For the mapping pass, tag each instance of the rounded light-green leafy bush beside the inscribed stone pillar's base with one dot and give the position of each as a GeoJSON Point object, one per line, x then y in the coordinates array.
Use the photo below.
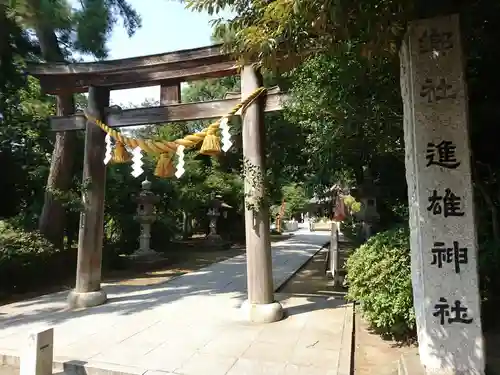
{"type": "Point", "coordinates": [379, 278]}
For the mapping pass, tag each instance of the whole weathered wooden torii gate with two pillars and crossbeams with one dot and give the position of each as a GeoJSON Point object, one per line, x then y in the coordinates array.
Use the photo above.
{"type": "Point", "coordinates": [167, 70]}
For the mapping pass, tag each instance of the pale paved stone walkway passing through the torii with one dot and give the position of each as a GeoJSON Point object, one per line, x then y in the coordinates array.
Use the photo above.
{"type": "Point", "coordinates": [191, 325]}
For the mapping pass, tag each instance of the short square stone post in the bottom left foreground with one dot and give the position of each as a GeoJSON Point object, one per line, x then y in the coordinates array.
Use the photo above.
{"type": "Point", "coordinates": [37, 357]}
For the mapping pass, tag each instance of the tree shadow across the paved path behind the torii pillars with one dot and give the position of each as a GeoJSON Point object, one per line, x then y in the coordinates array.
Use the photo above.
{"type": "Point", "coordinates": [228, 276]}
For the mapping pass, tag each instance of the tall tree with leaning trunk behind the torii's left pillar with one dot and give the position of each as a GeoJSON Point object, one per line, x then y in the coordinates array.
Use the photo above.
{"type": "Point", "coordinates": [64, 33]}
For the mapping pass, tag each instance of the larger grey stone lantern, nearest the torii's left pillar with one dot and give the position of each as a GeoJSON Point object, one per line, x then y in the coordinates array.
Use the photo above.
{"type": "Point", "coordinates": [146, 217]}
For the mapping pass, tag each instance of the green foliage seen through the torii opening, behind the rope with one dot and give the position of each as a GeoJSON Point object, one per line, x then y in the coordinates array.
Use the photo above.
{"type": "Point", "coordinates": [181, 200]}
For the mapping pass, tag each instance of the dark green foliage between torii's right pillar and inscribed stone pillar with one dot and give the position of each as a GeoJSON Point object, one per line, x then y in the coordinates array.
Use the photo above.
{"type": "Point", "coordinates": [351, 110]}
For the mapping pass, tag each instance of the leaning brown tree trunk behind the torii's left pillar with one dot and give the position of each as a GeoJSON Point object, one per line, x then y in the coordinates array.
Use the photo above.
{"type": "Point", "coordinates": [52, 219]}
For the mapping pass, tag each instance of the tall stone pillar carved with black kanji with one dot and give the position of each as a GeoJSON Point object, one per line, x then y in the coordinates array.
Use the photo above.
{"type": "Point", "coordinates": [438, 172]}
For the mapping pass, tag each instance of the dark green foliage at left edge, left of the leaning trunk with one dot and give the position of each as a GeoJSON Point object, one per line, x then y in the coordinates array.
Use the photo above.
{"type": "Point", "coordinates": [24, 137]}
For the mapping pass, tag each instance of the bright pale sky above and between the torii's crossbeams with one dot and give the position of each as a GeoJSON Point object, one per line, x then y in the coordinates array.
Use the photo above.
{"type": "Point", "coordinates": [166, 26]}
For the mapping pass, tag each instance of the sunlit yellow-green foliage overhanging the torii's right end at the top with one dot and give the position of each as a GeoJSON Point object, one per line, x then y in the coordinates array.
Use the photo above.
{"type": "Point", "coordinates": [293, 30]}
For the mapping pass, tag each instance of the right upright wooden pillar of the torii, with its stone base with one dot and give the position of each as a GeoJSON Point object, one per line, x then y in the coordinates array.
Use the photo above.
{"type": "Point", "coordinates": [260, 307]}
